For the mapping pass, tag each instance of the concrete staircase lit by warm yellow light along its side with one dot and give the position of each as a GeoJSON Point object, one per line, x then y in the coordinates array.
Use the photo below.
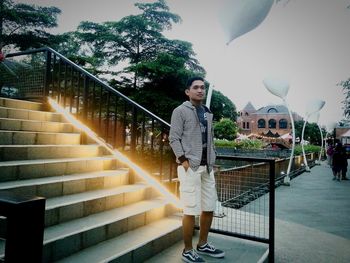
{"type": "Point", "coordinates": [95, 210]}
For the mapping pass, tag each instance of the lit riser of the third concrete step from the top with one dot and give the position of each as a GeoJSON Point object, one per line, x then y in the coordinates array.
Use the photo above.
{"type": "Point", "coordinates": [34, 125]}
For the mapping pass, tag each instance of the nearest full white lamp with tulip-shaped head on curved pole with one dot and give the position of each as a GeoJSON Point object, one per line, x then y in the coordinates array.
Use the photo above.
{"type": "Point", "coordinates": [279, 88]}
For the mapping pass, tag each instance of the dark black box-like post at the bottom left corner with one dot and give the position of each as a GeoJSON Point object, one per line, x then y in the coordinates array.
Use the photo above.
{"type": "Point", "coordinates": [25, 227]}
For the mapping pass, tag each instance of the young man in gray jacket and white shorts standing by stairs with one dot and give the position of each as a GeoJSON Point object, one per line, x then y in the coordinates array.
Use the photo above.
{"type": "Point", "coordinates": [191, 138]}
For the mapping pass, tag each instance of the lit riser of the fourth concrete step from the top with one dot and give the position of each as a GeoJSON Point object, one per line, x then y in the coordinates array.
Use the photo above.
{"type": "Point", "coordinates": [30, 138]}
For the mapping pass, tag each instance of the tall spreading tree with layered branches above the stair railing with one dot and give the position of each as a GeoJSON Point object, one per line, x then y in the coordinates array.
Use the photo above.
{"type": "Point", "coordinates": [133, 39]}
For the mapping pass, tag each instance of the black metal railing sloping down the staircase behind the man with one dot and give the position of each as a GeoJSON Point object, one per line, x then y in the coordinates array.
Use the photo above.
{"type": "Point", "coordinates": [121, 122]}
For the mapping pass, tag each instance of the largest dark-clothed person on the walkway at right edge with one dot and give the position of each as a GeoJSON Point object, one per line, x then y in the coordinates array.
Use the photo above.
{"type": "Point", "coordinates": [339, 162]}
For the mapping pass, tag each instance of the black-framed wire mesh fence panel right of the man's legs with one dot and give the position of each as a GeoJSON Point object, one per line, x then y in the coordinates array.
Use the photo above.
{"type": "Point", "coordinates": [245, 206]}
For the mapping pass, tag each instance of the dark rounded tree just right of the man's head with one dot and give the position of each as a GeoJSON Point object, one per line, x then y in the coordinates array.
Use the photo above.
{"type": "Point", "coordinates": [222, 107]}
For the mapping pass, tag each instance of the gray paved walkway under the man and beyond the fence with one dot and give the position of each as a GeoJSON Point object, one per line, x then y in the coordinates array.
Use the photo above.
{"type": "Point", "coordinates": [312, 225]}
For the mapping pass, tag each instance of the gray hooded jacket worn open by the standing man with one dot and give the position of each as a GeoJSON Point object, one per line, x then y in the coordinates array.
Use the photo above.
{"type": "Point", "coordinates": [186, 138]}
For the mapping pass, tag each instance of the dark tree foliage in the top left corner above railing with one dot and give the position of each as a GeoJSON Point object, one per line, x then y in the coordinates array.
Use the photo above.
{"type": "Point", "coordinates": [24, 26]}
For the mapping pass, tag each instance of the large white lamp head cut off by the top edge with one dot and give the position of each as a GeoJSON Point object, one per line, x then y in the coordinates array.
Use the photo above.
{"type": "Point", "coordinates": [241, 16]}
